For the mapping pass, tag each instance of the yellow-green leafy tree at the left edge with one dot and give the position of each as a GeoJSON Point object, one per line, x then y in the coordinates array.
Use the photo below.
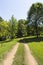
{"type": "Point", "coordinates": [3, 30]}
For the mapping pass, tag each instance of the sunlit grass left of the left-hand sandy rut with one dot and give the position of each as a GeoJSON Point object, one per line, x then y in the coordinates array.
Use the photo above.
{"type": "Point", "coordinates": [5, 47]}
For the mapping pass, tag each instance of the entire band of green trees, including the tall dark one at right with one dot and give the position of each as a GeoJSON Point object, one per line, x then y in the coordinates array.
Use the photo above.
{"type": "Point", "coordinates": [21, 28]}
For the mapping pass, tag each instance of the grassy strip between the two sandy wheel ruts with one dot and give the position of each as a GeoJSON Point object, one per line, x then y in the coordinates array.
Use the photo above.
{"type": "Point", "coordinates": [19, 57]}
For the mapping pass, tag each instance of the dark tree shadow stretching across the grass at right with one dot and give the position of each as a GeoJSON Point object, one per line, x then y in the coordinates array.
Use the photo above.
{"type": "Point", "coordinates": [27, 40]}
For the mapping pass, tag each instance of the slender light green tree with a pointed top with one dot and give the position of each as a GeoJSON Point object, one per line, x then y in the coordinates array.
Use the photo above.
{"type": "Point", "coordinates": [13, 27]}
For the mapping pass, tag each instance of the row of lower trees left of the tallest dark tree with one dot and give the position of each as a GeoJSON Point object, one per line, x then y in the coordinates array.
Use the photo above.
{"type": "Point", "coordinates": [12, 28]}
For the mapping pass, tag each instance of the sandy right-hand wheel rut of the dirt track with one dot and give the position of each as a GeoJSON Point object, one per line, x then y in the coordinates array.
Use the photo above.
{"type": "Point", "coordinates": [29, 59]}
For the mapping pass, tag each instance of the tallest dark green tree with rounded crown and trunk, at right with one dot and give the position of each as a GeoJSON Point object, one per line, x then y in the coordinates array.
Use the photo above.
{"type": "Point", "coordinates": [35, 13]}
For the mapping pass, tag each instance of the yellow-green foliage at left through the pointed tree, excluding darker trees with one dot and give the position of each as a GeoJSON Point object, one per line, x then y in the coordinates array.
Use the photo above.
{"type": "Point", "coordinates": [8, 29]}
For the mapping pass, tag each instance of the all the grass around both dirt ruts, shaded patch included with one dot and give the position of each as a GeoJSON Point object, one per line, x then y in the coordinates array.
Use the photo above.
{"type": "Point", "coordinates": [36, 47]}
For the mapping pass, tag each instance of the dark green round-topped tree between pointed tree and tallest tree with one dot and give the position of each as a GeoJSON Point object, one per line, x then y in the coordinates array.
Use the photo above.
{"type": "Point", "coordinates": [21, 28]}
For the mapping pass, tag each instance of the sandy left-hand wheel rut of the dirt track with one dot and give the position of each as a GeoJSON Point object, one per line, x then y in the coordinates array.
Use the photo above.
{"type": "Point", "coordinates": [10, 55]}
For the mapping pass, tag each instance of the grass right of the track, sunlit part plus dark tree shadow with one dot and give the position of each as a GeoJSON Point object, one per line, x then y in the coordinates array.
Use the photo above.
{"type": "Point", "coordinates": [36, 46]}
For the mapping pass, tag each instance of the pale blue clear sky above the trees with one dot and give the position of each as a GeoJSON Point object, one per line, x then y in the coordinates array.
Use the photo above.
{"type": "Point", "coordinates": [18, 8]}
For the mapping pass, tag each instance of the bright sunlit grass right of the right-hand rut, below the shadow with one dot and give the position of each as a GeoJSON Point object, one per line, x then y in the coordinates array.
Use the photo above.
{"type": "Point", "coordinates": [37, 51]}
